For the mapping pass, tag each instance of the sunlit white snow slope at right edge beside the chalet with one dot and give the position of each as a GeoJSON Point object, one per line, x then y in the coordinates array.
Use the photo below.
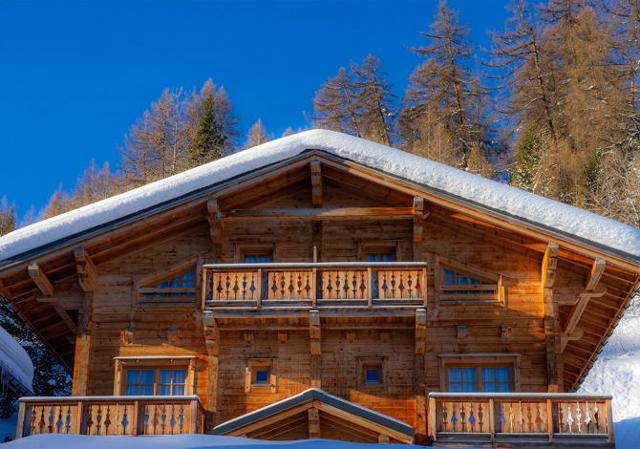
{"type": "Point", "coordinates": [617, 372]}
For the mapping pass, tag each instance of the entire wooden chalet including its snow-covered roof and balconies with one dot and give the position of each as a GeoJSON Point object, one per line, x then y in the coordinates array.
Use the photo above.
{"type": "Point", "coordinates": [323, 286]}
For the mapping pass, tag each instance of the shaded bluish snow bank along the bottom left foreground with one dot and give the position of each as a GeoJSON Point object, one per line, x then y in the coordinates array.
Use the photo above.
{"type": "Point", "coordinates": [178, 442]}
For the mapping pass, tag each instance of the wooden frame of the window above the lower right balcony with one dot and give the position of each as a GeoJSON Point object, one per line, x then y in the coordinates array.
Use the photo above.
{"type": "Point", "coordinates": [480, 361]}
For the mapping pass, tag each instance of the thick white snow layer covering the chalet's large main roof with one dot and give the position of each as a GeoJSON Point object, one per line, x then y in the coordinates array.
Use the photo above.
{"type": "Point", "coordinates": [514, 202]}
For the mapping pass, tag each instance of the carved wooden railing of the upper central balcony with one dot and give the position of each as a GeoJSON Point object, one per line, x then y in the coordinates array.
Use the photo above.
{"type": "Point", "coordinates": [315, 284]}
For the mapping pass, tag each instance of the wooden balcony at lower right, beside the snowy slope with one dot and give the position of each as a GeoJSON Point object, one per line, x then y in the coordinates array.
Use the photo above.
{"type": "Point", "coordinates": [520, 419]}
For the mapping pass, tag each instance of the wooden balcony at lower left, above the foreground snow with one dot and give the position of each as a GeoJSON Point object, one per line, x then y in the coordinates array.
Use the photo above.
{"type": "Point", "coordinates": [110, 415]}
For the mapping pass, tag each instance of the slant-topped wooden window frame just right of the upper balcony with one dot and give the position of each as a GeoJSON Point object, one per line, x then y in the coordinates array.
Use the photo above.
{"type": "Point", "coordinates": [497, 284]}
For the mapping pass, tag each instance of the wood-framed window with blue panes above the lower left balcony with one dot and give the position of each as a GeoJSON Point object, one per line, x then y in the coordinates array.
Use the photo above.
{"type": "Point", "coordinates": [158, 376]}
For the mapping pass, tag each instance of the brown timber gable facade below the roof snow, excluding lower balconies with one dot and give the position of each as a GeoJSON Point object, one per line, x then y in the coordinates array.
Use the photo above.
{"type": "Point", "coordinates": [320, 272]}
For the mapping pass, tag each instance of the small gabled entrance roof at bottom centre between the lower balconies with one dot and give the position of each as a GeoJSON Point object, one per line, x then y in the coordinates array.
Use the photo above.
{"type": "Point", "coordinates": [313, 414]}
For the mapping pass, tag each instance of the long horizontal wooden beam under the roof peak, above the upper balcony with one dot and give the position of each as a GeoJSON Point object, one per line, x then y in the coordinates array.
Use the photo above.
{"type": "Point", "coordinates": [345, 213]}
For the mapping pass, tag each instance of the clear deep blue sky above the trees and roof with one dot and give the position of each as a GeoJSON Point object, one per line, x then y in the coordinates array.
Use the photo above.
{"type": "Point", "coordinates": [75, 74]}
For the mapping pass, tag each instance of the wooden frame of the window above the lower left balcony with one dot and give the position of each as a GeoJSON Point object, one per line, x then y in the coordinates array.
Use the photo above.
{"type": "Point", "coordinates": [156, 363]}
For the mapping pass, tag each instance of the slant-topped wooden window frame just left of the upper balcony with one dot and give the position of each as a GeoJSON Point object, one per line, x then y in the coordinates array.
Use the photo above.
{"type": "Point", "coordinates": [144, 285]}
